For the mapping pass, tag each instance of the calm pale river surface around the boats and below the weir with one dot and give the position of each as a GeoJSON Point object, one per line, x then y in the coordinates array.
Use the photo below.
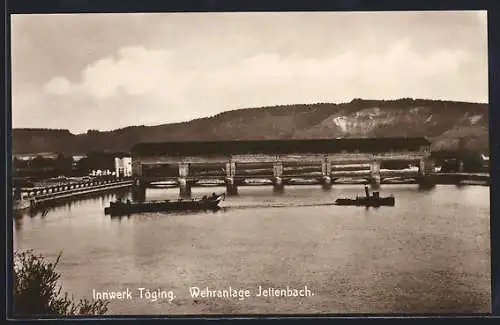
{"type": "Point", "coordinates": [428, 254]}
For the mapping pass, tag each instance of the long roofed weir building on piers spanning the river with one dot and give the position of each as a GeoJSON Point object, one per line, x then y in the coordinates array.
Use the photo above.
{"type": "Point", "coordinates": [277, 160]}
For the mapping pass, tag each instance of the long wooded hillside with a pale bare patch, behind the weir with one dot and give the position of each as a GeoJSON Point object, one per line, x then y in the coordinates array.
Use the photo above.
{"type": "Point", "coordinates": [443, 122]}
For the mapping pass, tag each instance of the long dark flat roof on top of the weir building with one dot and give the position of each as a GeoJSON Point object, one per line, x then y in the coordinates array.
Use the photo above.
{"type": "Point", "coordinates": [276, 146]}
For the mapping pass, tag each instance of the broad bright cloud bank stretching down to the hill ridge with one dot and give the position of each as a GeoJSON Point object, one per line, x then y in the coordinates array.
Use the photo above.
{"type": "Point", "coordinates": [141, 85]}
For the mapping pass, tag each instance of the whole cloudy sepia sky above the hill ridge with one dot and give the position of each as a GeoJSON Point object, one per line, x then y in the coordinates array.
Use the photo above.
{"type": "Point", "coordinates": [109, 71]}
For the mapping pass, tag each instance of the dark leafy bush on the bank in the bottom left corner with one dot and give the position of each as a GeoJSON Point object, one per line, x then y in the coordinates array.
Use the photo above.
{"type": "Point", "coordinates": [36, 290]}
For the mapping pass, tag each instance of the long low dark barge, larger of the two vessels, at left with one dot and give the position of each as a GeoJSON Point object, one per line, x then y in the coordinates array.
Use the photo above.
{"type": "Point", "coordinates": [126, 208]}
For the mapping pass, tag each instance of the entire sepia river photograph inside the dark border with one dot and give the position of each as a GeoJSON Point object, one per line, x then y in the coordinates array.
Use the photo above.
{"type": "Point", "coordinates": [250, 163]}
